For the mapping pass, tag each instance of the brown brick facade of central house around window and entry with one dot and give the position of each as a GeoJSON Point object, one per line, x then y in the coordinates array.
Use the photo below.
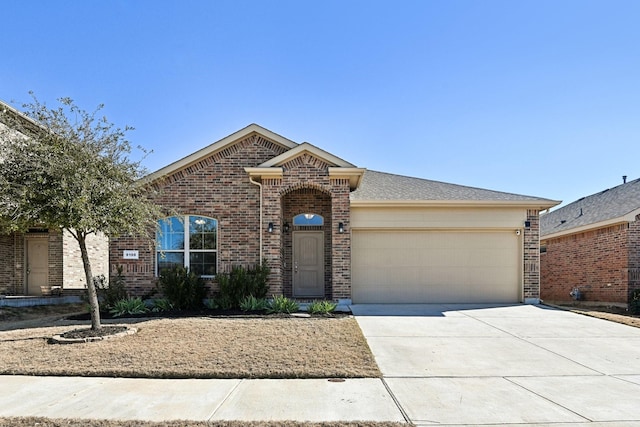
{"type": "Point", "coordinates": [219, 187]}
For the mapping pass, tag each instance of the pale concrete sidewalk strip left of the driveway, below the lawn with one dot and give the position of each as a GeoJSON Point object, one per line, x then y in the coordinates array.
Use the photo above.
{"type": "Point", "coordinates": [197, 400]}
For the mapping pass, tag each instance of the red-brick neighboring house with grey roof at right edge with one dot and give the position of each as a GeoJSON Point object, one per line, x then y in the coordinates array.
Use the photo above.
{"type": "Point", "coordinates": [593, 244]}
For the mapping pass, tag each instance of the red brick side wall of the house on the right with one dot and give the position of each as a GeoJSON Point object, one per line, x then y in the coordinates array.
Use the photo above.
{"type": "Point", "coordinates": [595, 261]}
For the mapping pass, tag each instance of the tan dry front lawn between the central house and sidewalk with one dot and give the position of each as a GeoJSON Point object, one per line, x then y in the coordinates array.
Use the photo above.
{"type": "Point", "coordinates": [199, 347]}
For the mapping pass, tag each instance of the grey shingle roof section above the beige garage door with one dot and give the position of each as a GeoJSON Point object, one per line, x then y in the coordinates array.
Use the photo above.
{"type": "Point", "coordinates": [385, 188]}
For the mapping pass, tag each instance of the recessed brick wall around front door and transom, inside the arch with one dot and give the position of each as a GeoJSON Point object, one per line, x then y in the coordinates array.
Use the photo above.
{"type": "Point", "coordinates": [306, 199]}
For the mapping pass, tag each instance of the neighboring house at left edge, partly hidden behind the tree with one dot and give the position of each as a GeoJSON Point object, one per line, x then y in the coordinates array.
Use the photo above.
{"type": "Point", "coordinates": [41, 260]}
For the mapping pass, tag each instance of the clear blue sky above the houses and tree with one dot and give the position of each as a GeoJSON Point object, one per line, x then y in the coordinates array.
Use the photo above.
{"type": "Point", "coordinates": [531, 97]}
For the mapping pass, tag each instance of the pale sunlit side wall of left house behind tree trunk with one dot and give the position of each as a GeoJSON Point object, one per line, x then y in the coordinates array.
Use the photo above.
{"type": "Point", "coordinates": [98, 248]}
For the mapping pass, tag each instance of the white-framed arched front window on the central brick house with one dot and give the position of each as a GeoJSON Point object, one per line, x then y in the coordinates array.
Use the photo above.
{"type": "Point", "coordinates": [189, 241]}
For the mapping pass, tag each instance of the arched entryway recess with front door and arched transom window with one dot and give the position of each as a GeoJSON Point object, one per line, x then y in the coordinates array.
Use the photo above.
{"type": "Point", "coordinates": [306, 244]}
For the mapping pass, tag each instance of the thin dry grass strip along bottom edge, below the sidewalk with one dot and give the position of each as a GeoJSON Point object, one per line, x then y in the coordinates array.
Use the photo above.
{"type": "Point", "coordinates": [47, 422]}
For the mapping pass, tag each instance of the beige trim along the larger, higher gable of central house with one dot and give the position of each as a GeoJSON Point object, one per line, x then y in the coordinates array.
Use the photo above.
{"type": "Point", "coordinates": [220, 145]}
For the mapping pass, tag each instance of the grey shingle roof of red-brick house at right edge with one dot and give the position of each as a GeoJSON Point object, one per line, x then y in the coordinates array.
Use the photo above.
{"type": "Point", "coordinates": [610, 206]}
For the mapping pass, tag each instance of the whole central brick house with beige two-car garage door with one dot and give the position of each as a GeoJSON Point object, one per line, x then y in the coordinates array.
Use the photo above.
{"type": "Point", "coordinates": [328, 229]}
